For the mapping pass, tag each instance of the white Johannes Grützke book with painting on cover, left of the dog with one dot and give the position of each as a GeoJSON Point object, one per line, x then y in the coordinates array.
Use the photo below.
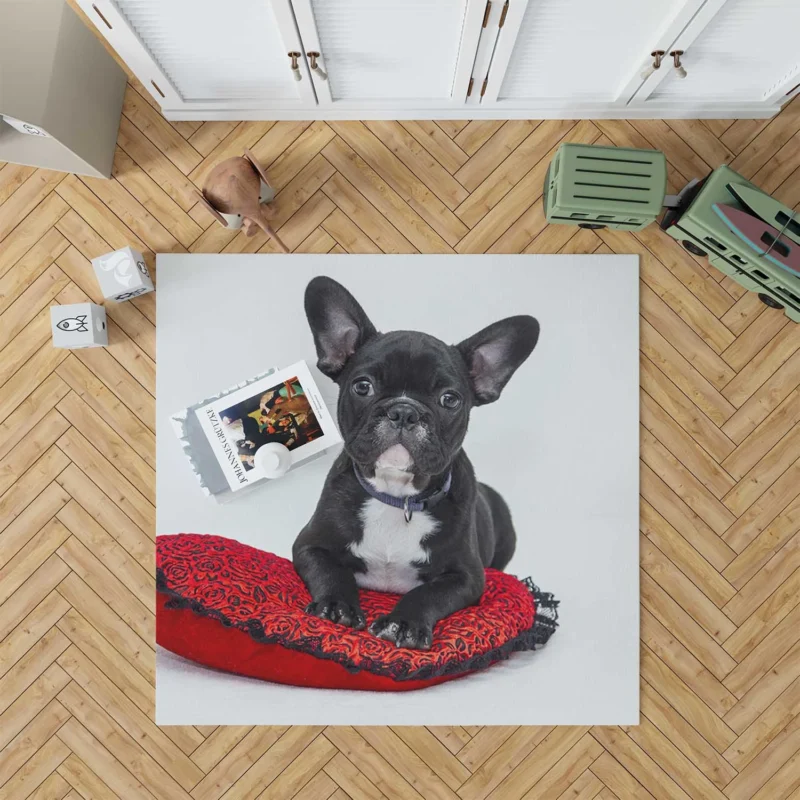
{"type": "Point", "coordinates": [285, 407]}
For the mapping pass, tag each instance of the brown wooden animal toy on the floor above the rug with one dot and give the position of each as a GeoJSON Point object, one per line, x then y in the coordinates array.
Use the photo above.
{"type": "Point", "coordinates": [236, 192]}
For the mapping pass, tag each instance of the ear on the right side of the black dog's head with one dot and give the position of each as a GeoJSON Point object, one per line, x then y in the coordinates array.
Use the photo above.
{"type": "Point", "coordinates": [494, 354]}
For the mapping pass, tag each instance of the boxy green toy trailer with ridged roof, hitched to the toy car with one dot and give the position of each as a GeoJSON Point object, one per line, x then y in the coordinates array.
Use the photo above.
{"type": "Point", "coordinates": [605, 187]}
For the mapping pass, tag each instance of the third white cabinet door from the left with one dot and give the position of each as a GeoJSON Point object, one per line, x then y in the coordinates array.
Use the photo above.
{"type": "Point", "coordinates": [576, 53]}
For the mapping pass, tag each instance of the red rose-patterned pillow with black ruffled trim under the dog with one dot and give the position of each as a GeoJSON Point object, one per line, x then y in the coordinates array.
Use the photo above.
{"type": "Point", "coordinates": [229, 606]}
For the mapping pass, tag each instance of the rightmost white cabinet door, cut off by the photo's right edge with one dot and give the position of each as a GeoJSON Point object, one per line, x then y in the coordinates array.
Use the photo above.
{"type": "Point", "coordinates": [747, 51]}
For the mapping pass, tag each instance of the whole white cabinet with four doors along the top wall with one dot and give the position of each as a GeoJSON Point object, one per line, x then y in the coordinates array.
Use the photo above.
{"type": "Point", "coordinates": [335, 59]}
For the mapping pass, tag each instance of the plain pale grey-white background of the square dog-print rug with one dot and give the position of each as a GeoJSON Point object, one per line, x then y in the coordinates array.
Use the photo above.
{"type": "Point", "coordinates": [561, 445]}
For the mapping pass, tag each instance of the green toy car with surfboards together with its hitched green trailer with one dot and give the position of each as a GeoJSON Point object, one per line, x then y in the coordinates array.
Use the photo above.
{"type": "Point", "coordinates": [594, 186]}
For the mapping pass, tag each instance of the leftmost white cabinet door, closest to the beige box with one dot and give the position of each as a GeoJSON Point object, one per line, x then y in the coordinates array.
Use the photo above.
{"type": "Point", "coordinates": [207, 54]}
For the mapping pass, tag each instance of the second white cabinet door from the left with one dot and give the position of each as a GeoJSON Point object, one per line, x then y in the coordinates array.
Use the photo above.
{"type": "Point", "coordinates": [390, 53]}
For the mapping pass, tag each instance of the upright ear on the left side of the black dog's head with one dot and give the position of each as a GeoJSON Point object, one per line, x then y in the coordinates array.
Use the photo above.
{"type": "Point", "coordinates": [338, 323]}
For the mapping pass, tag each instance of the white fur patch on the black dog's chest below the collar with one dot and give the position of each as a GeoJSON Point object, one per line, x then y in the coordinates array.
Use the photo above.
{"type": "Point", "coordinates": [391, 546]}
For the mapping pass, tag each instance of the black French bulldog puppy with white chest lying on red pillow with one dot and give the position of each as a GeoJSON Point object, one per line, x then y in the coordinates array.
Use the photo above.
{"type": "Point", "coordinates": [401, 510]}
